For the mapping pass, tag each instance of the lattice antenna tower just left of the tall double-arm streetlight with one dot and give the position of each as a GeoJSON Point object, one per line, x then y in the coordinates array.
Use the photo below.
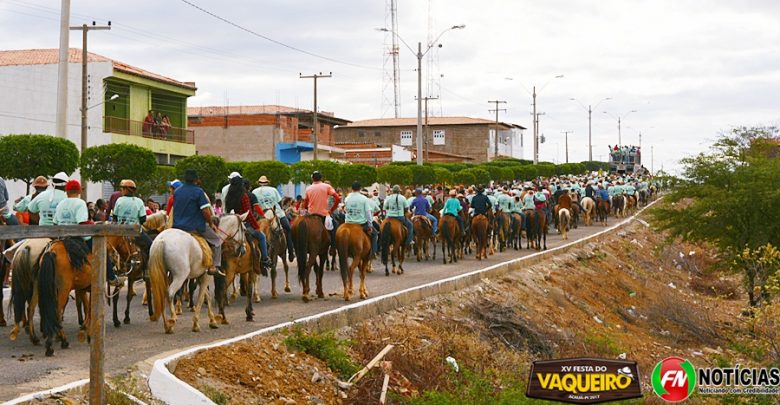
{"type": "Point", "coordinates": [391, 74]}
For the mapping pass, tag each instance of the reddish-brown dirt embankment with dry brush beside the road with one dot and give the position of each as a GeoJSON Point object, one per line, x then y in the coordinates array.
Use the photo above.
{"type": "Point", "coordinates": [630, 293]}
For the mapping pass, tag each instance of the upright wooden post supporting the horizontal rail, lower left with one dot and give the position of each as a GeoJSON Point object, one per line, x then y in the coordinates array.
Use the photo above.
{"type": "Point", "coordinates": [97, 329]}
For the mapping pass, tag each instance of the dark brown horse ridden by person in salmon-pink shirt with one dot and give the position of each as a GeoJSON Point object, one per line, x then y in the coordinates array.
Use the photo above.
{"type": "Point", "coordinates": [311, 241]}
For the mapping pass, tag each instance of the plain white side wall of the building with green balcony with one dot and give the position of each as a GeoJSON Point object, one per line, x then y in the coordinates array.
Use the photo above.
{"type": "Point", "coordinates": [28, 105]}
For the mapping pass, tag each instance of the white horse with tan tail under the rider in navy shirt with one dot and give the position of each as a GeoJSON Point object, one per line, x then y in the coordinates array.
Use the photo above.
{"type": "Point", "coordinates": [177, 253]}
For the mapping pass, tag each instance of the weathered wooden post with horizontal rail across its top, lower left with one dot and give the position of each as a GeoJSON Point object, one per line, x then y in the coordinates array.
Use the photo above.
{"type": "Point", "coordinates": [97, 327]}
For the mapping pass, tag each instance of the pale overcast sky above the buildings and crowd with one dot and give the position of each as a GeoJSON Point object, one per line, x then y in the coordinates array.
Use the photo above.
{"type": "Point", "coordinates": [689, 68]}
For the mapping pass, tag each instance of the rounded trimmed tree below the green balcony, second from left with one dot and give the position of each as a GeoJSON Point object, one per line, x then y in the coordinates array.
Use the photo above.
{"type": "Point", "coordinates": [117, 161]}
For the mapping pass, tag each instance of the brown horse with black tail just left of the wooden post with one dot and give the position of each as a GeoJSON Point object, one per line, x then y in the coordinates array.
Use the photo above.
{"type": "Point", "coordinates": [65, 265]}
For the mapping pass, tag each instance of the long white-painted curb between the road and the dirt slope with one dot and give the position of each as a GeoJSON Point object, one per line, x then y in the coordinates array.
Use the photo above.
{"type": "Point", "coordinates": [168, 388]}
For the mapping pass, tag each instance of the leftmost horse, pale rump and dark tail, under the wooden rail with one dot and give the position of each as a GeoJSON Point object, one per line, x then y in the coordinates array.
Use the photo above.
{"type": "Point", "coordinates": [24, 286]}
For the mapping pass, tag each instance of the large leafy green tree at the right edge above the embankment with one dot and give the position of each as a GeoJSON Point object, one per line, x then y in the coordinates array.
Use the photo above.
{"type": "Point", "coordinates": [726, 197]}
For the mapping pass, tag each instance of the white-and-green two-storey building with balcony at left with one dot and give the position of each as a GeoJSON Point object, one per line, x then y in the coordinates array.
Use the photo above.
{"type": "Point", "coordinates": [28, 104]}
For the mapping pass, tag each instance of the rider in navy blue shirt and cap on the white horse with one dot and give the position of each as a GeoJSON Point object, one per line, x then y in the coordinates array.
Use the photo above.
{"type": "Point", "coordinates": [192, 213]}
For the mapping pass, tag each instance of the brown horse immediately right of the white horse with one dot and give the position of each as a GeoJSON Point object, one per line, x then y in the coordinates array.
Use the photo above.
{"type": "Point", "coordinates": [236, 259]}
